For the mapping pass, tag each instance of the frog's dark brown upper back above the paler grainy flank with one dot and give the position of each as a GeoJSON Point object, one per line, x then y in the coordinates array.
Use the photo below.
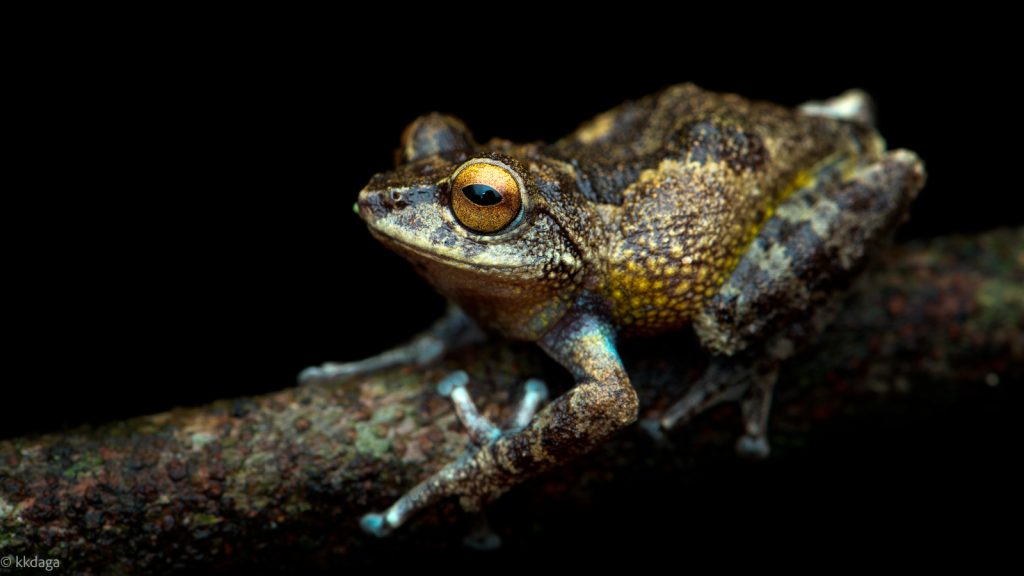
{"type": "Point", "coordinates": [694, 127]}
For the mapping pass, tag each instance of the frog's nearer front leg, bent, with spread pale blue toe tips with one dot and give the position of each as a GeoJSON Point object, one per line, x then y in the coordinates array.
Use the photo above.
{"type": "Point", "coordinates": [602, 403]}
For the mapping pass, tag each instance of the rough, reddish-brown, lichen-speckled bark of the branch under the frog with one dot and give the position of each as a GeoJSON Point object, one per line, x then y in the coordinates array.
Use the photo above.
{"type": "Point", "coordinates": [289, 474]}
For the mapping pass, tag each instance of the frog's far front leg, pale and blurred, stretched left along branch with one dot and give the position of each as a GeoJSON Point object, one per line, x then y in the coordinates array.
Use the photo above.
{"type": "Point", "coordinates": [453, 331]}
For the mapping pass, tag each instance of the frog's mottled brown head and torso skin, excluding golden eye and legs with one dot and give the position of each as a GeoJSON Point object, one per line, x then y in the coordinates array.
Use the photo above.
{"type": "Point", "coordinates": [651, 205]}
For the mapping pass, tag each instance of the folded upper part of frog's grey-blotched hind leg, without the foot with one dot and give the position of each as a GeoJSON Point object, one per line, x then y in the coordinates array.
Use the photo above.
{"type": "Point", "coordinates": [814, 248]}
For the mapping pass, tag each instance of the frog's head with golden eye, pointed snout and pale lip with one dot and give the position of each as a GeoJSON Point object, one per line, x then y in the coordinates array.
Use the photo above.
{"type": "Point", "coordinates": [499, 229]}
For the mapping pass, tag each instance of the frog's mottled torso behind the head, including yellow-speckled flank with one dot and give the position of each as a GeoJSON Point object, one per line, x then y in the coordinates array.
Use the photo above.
{"type": "Point", "coordinates": [688, 179]}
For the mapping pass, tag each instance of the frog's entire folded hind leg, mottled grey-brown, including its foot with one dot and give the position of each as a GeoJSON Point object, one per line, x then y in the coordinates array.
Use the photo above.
{"type": "Point", "coordinates": [784, 292]}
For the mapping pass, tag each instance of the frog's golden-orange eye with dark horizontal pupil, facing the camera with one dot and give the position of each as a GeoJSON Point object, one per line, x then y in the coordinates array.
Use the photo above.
{"type": "Point", "coordinates": [486, 197]}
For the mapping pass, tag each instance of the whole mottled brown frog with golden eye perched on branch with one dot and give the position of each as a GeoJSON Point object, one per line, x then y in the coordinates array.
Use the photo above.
{"type": "Point", "coordinates": [742, 221]}
